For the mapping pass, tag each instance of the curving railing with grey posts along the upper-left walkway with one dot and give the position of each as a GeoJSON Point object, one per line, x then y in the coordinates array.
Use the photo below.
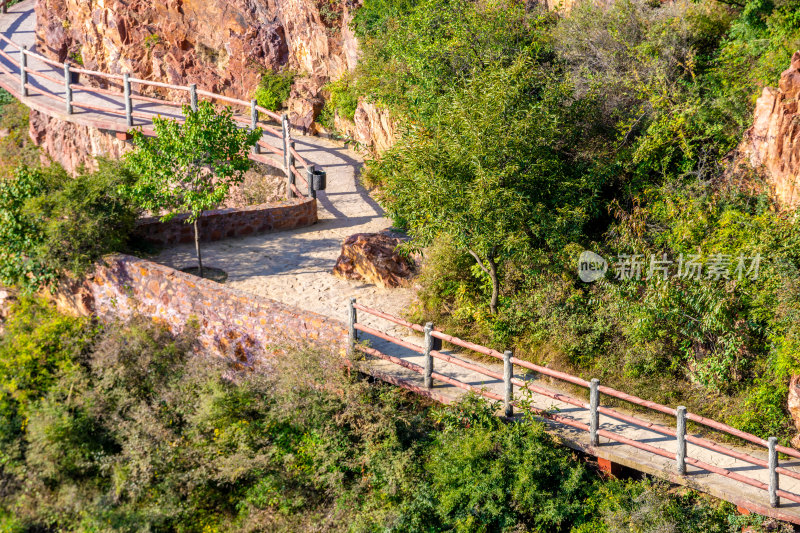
{"type": "Point", "coordinates": [124, 91]}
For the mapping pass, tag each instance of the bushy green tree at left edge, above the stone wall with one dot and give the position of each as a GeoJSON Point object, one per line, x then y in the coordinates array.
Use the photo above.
{"type": "Point", "coordinates": [52, 223]}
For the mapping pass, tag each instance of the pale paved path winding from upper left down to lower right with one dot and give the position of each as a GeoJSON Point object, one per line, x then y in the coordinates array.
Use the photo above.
{"type": "Point", "coordinates": [294, 267]}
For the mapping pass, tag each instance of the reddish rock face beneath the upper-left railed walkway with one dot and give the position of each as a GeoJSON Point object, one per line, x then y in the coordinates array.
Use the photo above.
{"type": "Point", "coordinates": [73, 145]}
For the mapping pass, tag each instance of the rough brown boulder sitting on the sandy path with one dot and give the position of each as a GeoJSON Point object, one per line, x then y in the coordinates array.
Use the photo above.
{"type": "Point", "coordinates": [371, 257]}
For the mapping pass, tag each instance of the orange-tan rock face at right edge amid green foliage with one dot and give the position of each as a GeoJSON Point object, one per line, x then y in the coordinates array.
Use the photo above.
{"type": "Point", "coordinates": [771, 144]}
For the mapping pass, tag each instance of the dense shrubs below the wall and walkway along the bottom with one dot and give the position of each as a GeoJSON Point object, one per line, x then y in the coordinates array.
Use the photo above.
{"type": "Point", "coordinates": [122, 428]}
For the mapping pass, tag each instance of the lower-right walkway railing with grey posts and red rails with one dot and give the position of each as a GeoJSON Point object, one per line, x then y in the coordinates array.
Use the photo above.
{"type": "Point", "coordinates": [431, 350]}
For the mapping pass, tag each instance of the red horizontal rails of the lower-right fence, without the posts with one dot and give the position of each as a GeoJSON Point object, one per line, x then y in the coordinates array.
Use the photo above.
{"type": "Point", "coordinates": [565, 398]}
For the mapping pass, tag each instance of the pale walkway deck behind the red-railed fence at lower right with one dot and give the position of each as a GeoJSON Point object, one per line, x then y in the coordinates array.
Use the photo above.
{"type": "Point", "coordinates": [731, 490]}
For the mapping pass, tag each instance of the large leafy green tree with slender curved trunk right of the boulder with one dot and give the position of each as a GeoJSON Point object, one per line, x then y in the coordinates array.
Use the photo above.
{"type": "Point", "coordinates": [498, 172]}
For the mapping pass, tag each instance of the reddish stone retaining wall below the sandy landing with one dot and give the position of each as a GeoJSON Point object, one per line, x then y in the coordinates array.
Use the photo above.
{"type": "Point", "coordinates": [233, 324]}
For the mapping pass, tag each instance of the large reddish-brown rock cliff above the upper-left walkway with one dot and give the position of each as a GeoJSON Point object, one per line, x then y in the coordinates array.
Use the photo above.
{"type": "Point", "coordinates": [221, 45]}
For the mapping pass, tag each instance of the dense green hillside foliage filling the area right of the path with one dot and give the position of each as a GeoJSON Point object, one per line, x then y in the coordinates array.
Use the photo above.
{"type": "Point", "coordinates": [527, 137]}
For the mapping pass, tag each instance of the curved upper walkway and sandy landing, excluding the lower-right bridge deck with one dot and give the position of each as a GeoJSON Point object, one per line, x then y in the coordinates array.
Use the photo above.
{"type": "Point", "coordinates": [293, 266]}
